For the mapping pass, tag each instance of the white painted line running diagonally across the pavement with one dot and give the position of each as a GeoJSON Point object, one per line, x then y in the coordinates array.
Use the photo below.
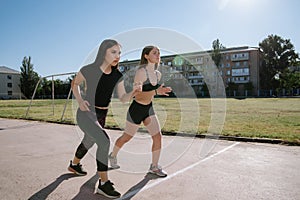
{"type": "Point", "coordinates": [179, 172]}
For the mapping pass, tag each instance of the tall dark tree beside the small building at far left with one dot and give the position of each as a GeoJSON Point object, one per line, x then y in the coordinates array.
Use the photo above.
{"type": "Point", "coordinates": [29, 78]}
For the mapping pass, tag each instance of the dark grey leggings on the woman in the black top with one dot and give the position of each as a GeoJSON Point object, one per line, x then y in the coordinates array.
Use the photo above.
{"type": "Point", "coordinates": [92, 126]}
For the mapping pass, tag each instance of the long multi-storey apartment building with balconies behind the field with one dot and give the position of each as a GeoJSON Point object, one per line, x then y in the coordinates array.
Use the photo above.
{"type": "Point", "coordinates": [239, 65]}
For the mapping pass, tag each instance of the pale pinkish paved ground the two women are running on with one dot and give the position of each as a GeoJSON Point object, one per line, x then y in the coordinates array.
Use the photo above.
{"type": "Point", "coordinates": [34, 158]}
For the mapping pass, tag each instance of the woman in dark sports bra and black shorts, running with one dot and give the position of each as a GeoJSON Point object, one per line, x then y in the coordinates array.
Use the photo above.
{"type": "Point", "coordinates": [141, 109]}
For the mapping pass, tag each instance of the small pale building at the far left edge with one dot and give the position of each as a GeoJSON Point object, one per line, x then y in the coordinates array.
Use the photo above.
{"type": "Point", "coordinates": [9, 83]}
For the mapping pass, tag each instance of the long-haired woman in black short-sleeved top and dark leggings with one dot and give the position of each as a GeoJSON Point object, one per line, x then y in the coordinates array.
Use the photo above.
{"type": "Point", "coordinates": [100, 78]}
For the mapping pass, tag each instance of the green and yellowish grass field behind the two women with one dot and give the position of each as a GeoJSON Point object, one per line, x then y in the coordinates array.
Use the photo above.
{"type": "Point", "coordinates": [276, 118]}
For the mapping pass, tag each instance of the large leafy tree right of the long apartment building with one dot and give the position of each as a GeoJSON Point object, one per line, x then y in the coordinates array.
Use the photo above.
{"type": "Point", "coordinates": [277, 54]}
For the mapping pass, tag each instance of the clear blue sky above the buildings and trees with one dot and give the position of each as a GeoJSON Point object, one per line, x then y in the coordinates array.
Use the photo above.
{"type": "Point", "coordinates": [59, 35]}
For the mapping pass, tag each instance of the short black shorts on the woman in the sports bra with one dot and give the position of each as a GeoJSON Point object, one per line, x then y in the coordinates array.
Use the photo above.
{"type": "Point", "coordinates": [138, 112]}
